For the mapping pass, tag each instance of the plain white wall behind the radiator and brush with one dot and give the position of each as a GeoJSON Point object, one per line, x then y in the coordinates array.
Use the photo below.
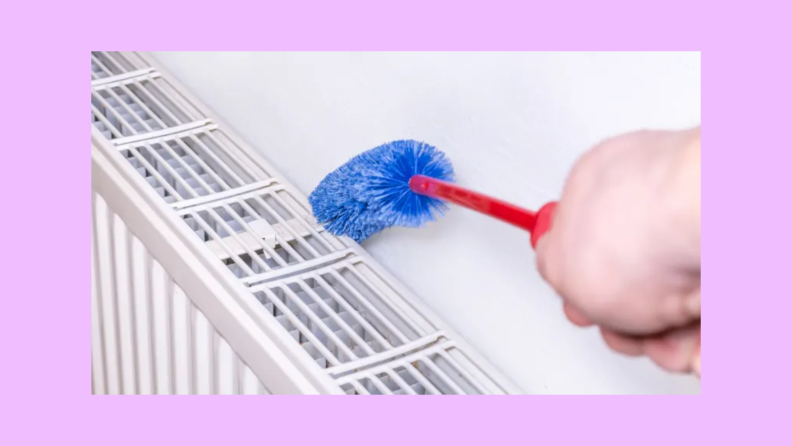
{"type": "Point", "coordinates": [513, 124]}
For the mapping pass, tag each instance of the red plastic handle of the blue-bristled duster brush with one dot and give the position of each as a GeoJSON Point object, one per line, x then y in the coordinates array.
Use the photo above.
{"type": "Point", "coordinates": [537, 223]}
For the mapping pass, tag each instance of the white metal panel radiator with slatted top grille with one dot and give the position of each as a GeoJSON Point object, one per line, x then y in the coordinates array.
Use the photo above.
{"type": "Point", "coordinates": [210, 275]}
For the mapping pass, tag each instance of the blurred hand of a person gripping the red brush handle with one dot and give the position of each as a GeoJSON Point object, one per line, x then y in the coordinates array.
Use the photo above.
{"type": "Point", "coordinates": [624, 250]}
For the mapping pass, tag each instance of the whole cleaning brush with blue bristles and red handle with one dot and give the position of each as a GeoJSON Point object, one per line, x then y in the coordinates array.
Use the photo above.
{"type": "Point", "coordinates": [405, 183]}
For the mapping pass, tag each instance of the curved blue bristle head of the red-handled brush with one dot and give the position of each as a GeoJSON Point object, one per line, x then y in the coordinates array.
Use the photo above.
{"type": "Point", "coordinates": [371, 191]}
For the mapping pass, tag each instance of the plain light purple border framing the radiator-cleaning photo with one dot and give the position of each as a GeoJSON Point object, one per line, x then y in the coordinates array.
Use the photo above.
{"type": "Point", "coordinates": [46, 330]}
